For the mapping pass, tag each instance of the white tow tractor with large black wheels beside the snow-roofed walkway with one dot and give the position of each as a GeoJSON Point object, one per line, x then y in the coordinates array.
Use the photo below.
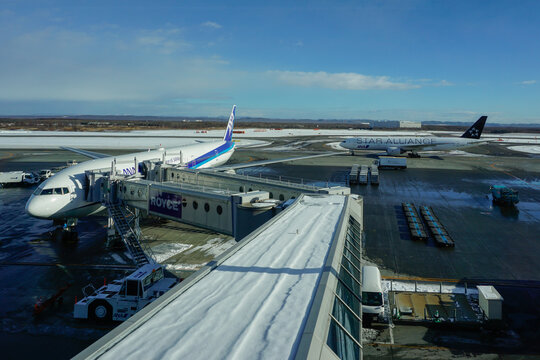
{"type": "Point", "coordinates": [122, 298]}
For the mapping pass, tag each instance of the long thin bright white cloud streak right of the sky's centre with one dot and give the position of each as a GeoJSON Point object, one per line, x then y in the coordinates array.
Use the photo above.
{"type": "Point", "coordinates": [342, 81]}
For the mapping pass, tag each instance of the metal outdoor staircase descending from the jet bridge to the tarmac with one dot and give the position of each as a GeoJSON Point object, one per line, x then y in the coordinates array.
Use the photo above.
{"type": "Point", "coordinates": [129, 236]}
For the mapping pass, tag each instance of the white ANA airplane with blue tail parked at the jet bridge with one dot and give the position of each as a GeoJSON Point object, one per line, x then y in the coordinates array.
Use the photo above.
{"type": "Point", "coordinates": [62, 196]}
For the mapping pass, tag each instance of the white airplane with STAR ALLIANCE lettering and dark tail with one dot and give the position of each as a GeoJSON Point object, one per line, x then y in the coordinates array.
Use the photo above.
{"type": "Point", "coordinates": [396, 145]}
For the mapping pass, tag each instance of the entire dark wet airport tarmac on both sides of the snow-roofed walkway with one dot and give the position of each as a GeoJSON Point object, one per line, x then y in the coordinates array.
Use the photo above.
{"type": "Point", "coordinates": [491, 243]}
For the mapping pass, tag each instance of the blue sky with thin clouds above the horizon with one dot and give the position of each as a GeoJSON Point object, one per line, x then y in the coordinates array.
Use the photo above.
{"type": "Point", "coordinates": [400, 60]}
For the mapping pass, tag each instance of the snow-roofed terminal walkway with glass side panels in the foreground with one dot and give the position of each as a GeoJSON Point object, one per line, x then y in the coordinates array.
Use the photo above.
{"type": "Point", "coordinates": [289, 289]}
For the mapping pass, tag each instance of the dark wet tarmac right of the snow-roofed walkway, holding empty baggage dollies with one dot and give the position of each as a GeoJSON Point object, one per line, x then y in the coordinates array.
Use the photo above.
{"type": "Point", "coordinates": [494, 245]}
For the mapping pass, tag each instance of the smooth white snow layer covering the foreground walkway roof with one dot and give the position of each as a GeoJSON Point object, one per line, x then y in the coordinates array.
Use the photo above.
{"type": "Point", "coordinates": [253, 305]}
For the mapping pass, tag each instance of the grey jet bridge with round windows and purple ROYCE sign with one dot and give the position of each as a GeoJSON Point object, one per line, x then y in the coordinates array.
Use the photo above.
{"type": "Point", "coordinates": [226, 203]}
